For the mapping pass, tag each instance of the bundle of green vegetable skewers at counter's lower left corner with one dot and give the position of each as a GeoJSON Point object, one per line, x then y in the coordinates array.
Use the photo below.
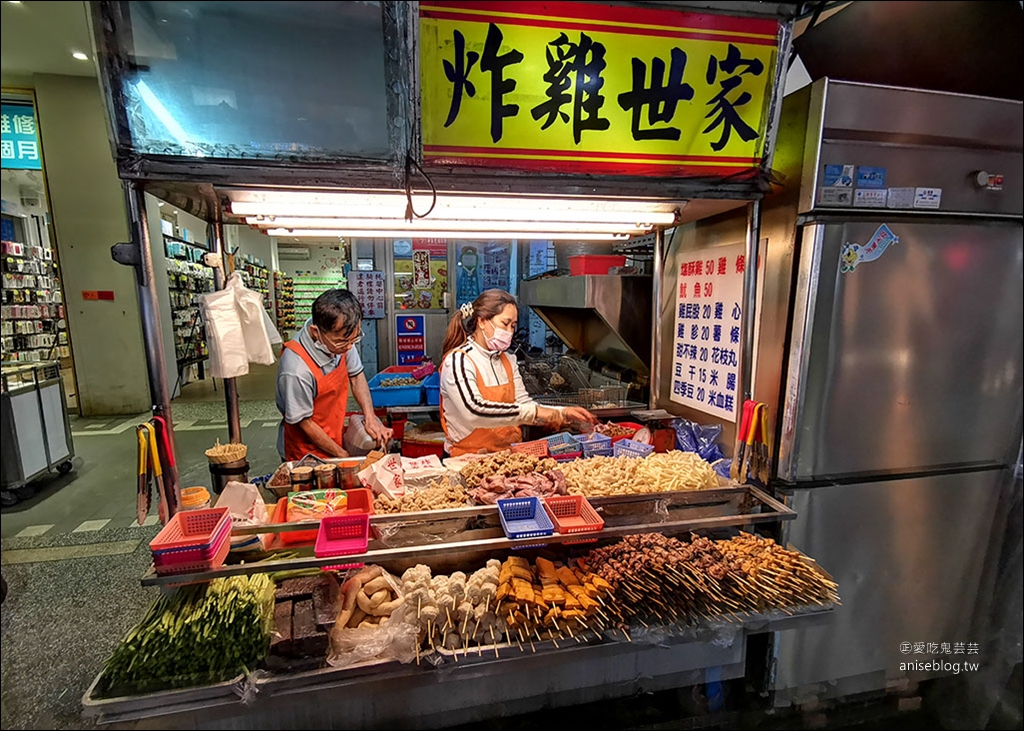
{"type": "Point", "coordinates": [201, 634]}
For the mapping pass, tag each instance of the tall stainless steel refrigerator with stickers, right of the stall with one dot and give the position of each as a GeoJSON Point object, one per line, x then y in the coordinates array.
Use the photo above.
{"type": "Point", "coordinates": [891, 348]}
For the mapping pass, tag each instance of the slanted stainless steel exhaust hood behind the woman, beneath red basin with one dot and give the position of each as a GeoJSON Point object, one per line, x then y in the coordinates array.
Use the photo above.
{"type": "Point", "coordinates": [606, 317]}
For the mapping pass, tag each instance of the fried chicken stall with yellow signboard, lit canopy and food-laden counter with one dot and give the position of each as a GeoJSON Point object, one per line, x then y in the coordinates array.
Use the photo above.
{"type": "Point", "coordinates": [617, 564]}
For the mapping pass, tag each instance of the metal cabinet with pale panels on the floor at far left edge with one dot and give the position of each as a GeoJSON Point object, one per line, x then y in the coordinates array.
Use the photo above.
{"type": "Point", "coordinates": [36, 434]}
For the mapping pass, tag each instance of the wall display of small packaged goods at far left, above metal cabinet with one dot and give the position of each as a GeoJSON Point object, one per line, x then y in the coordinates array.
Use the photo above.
{"type": "Point", "coordinates": [32, 314]}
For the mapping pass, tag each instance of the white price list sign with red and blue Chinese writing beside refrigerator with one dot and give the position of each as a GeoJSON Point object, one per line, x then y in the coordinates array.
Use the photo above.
{"type": "Point", "coordinates": [708, 342]}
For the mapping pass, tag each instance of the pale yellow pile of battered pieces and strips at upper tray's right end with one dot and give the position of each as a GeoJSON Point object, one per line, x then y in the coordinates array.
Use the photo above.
{"type": "Point", "coordinates": [657, 474]}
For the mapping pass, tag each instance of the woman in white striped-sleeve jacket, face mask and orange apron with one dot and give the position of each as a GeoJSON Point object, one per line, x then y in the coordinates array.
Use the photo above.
{"type": "Point", "coordinates": [484, 401]}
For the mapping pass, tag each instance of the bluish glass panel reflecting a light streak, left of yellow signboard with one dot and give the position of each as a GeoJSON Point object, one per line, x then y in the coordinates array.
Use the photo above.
{"type": "Point", "coordinates": [264, 80]}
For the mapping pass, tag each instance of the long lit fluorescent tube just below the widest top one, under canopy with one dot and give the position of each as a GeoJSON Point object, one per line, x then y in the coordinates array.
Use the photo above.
{"type": "Point", "coordinates": [482, 228]}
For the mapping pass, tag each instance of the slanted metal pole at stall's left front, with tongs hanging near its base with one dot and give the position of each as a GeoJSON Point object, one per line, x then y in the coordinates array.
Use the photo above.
{"type": "Point", "coordinates": [140, 251]}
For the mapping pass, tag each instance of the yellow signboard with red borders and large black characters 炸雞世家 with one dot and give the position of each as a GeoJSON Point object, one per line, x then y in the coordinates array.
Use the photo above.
{"type": "Point", "coordinates": [580, 88]}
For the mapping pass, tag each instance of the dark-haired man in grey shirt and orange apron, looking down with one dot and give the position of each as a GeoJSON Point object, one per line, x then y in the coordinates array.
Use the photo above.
{"type": "Point", "coordinates": [317, 372]}
